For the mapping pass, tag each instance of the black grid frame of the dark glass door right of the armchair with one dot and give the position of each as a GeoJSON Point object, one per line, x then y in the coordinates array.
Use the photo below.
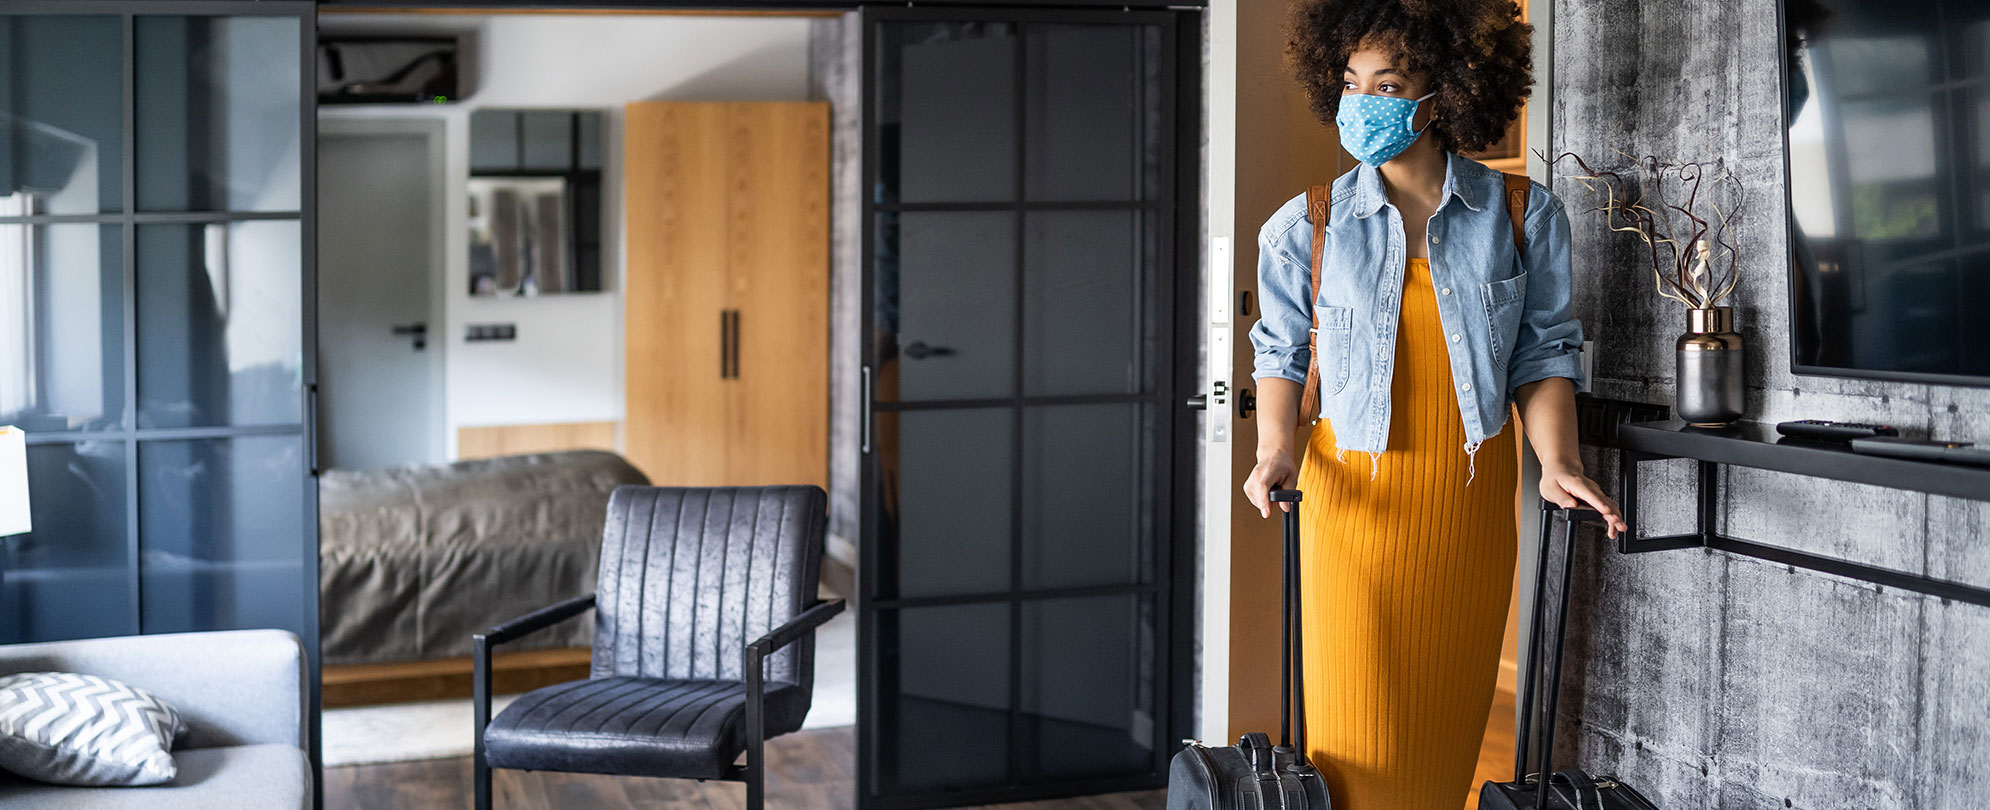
{"type": "Point", "coordinates": [1173, 584]}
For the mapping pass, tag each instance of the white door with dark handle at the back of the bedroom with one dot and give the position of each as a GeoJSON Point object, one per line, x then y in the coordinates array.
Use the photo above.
{"type": "Point", "coordinates": [379, 256]}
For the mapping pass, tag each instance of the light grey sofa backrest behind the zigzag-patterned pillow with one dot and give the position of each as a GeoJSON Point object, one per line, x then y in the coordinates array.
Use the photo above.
{"type": "Point", "coordinates": [234, 688]}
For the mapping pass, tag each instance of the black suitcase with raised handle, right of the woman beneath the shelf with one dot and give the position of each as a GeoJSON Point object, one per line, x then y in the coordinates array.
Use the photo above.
{"type": "Point", "coordinates": [1567, 789]}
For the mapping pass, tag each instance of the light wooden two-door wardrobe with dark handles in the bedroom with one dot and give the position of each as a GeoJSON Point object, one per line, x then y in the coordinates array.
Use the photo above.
{"type": "Point", "coordinates": [727, 302]}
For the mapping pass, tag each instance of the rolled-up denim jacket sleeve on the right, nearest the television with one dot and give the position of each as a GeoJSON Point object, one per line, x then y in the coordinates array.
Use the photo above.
{"type": "Point", "coordinates": [1551, 337]}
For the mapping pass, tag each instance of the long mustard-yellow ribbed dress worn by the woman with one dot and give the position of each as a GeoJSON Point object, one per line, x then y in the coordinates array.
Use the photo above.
{"type": "Point", "coordinates": [1406, 586]}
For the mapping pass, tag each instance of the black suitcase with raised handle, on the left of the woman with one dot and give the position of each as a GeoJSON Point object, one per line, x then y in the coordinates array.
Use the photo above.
{"type": "Point", "coordinates": [1255, 775]}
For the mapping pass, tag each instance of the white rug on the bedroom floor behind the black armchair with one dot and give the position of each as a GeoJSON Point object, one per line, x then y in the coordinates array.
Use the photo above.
{"type": "Point", "coordinates": [441, 729]}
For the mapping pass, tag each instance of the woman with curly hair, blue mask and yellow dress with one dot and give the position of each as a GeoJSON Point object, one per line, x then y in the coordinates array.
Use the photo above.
{"type": "Point", "coordinates": [1432, 325]}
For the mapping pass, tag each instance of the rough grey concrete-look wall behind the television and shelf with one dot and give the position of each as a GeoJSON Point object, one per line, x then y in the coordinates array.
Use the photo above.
{"type": "Point", "coordinates": [1720, 682]}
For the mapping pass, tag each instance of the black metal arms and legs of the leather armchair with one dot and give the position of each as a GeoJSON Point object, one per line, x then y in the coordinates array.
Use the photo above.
{"type": "Point", "coordinates": [751, 664]}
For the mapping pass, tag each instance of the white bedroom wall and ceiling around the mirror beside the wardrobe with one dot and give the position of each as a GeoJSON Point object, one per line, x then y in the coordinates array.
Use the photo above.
{"type": "Point", "coordinates": [566, 363]}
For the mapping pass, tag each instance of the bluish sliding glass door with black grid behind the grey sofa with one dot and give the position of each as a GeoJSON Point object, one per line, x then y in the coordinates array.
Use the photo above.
{"type": "Point", "coordinates": [156, 327]}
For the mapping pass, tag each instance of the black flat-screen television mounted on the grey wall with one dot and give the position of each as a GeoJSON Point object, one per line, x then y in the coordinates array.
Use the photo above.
{"type": "Point", "coordinates": [1888, 122]}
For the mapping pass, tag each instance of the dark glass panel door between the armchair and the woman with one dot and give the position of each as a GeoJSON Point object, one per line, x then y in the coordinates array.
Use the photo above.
{"type": "Point", "coordinates": [1022, 284]}
